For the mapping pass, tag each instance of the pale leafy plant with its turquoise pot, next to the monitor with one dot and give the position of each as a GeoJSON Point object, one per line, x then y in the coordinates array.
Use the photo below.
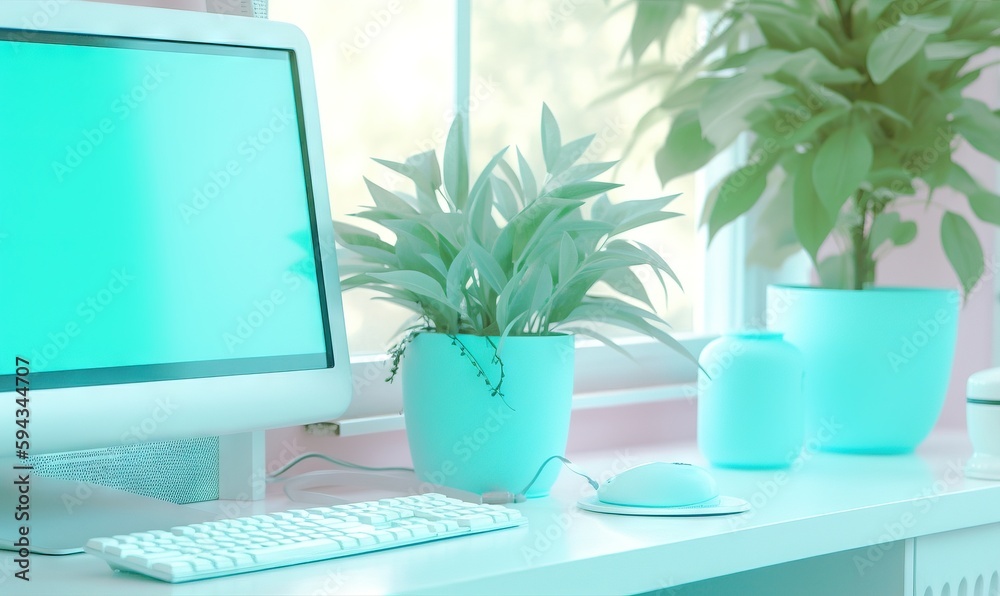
{"type": "Point", "coordinates": [500, 271]}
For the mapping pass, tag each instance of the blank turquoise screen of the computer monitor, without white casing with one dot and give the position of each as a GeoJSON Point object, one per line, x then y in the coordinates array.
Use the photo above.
{"type": "Point", "coordinates": [155, 217]}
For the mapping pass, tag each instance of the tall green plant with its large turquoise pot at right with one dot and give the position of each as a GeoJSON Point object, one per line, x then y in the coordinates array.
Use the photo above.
{"type": "Point", "coordinates": [853, 107]}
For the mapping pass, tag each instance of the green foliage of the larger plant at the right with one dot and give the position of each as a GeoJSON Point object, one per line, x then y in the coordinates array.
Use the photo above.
{"type": "Point", "coordinates": [852, 104]}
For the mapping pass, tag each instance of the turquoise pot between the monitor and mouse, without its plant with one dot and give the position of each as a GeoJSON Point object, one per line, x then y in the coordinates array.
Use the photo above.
{"type": "Point", "coordinates": [462, 436]}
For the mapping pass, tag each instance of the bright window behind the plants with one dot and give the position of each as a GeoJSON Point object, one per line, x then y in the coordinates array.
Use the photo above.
{"type": "Point", "coordinates": [390, 75]}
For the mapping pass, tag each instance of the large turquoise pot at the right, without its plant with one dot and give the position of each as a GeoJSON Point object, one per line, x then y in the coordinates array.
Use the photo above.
{"type": "Point", "coordinates": [877, 362]}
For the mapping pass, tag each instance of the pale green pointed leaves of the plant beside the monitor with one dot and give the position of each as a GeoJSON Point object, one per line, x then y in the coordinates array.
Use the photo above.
{"type": "Point", "coordinates": [506, 252]}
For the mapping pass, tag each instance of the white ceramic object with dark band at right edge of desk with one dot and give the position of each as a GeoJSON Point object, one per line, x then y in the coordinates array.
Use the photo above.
{"type": "Point", "coordinates": [983, 411]}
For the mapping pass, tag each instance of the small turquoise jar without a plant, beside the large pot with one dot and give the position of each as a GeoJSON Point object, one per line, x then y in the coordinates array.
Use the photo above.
{"type": "Point", "coordinates": [750, 411]}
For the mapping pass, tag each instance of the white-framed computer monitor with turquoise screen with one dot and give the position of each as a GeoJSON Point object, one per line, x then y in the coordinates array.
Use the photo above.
{"type": "Point", "coordinates": [166, 249]}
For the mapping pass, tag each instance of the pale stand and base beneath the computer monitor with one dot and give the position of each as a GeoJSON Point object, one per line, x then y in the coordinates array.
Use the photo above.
{"type": "Point", "coordinates": [64, 514]}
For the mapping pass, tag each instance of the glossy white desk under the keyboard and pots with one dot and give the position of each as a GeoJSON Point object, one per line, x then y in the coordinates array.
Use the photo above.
{"type": "Point", "coordinates": [832, 504]}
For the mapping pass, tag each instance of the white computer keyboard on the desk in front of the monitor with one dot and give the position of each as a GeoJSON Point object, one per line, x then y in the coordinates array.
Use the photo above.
{"type": "Point", "coordinates": [230, 546]}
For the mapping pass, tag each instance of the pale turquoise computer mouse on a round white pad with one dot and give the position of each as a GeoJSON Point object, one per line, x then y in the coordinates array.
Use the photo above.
{"type": "Point", "coordinates": [660, 484]}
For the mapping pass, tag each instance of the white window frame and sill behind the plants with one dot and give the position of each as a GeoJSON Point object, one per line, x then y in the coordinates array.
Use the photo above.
{"type": "Point", "coordinates": [603, 378]}
